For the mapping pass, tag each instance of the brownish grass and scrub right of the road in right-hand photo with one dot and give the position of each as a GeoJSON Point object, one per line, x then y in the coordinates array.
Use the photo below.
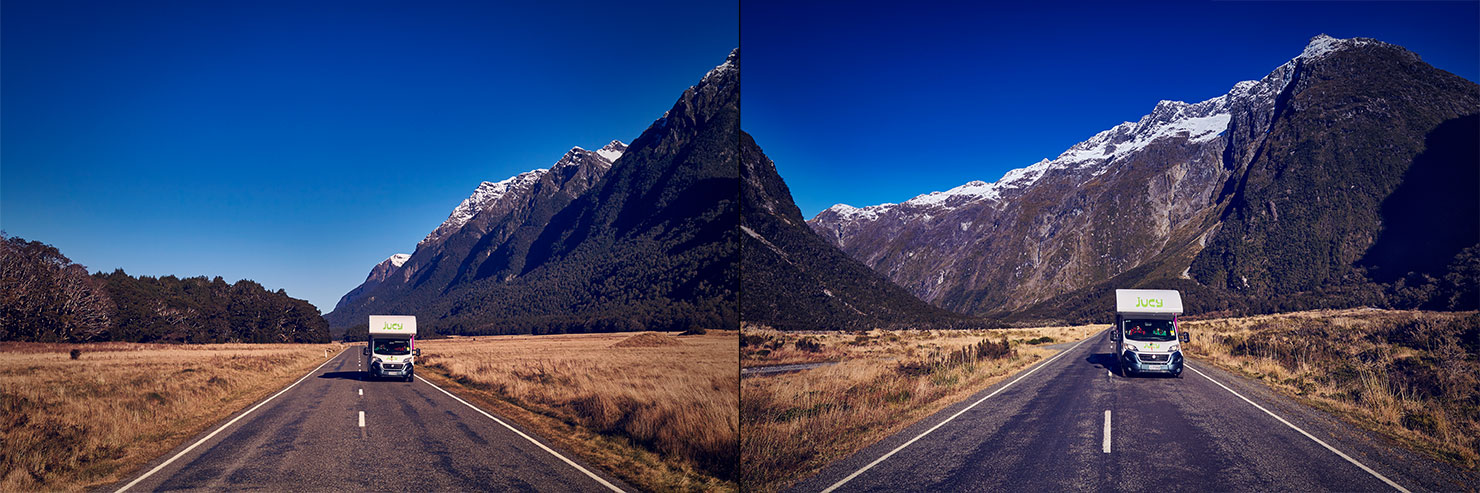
{"type": "Point", "coordinates": [1410, 375]}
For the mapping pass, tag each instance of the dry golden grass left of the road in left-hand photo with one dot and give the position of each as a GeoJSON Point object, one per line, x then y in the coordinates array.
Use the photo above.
{"type": "Point", "coordinates": [76, 424]}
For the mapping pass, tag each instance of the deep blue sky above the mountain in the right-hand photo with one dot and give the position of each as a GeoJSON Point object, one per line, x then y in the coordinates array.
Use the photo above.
{"type": "Point", "coordinates": [867, 104]}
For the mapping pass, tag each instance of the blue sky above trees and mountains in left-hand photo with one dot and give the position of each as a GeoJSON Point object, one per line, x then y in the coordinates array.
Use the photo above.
{"type": "Point", "coordinates": [301, 143]}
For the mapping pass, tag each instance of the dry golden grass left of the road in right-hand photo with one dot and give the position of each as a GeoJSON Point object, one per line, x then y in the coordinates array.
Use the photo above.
{"type": "Point", "coordinates": [883, 383]}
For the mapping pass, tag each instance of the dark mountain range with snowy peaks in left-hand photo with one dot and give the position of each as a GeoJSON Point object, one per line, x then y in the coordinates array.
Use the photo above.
{"type": "Point", "coordinates": [627, 238]}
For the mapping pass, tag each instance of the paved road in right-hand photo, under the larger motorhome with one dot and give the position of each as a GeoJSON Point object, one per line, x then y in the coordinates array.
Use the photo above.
{"type": "Point", "coordinates": [1047, 432]}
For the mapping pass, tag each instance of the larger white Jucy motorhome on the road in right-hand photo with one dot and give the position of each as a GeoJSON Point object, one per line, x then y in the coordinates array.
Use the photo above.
{"type": "Point", "coordinates": [1146, 335]}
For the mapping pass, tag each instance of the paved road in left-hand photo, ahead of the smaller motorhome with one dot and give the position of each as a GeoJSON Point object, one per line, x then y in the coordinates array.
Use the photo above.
{"type": "Point", "coordinates": [414, 437]}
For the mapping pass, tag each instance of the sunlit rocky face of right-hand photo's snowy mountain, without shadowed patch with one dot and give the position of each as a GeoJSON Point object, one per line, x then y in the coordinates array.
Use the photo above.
{"type": "Point", "coordinates": [1188, 193]}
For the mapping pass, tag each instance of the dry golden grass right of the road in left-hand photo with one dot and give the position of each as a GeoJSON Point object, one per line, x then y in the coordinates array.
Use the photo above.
{"type": "Point", "coordinates": [661, 414]}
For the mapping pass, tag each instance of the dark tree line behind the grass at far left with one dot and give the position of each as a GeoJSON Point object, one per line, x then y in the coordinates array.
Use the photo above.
{"type": "Point", "coordinates": [48, 298]}
